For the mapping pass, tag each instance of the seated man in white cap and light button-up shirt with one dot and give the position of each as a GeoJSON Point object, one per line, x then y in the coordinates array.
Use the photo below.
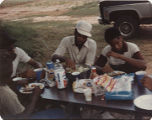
{"type": "Point", "coordinates": [82, 50]}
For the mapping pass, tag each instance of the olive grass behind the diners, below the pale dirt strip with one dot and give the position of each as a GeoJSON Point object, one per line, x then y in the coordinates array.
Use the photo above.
{"type": "Point", "coordinates": [41, 39]}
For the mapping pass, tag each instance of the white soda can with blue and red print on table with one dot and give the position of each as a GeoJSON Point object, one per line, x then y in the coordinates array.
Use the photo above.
{"type": "Point", "coordinates": [60, 78]}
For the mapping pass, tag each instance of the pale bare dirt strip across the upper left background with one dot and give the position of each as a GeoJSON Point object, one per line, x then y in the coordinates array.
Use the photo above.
{"type": "Point", "coordinates": [23, 12]}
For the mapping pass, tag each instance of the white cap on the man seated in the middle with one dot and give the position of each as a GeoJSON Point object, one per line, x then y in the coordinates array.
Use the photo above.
{"type": "Point", "coordinates": [84, 28]}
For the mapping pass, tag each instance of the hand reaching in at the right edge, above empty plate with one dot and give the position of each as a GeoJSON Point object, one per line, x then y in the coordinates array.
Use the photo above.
{"type": "Point", "coordinates": [147, 82]}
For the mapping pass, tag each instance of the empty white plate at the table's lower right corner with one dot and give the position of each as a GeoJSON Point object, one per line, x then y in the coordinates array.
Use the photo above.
{"type": "Point", "coordinates": [144, 102]}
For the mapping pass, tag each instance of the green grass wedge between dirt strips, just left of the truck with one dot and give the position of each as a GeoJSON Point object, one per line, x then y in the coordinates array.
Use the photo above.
{"type": "Point", "coordinates": [88, 9]}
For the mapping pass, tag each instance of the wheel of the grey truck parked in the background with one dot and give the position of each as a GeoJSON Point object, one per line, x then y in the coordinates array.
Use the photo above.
{"type": "Point", "coordinates": [127, 26]}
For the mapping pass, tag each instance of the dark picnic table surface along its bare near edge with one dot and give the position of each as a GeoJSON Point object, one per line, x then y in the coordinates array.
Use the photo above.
{"type": "Point", "coordinates": [68, 96]}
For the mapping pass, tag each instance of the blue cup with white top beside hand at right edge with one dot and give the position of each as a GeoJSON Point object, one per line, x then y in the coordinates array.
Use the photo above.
{"type": "Point", "coordinates": [139, 76]}
